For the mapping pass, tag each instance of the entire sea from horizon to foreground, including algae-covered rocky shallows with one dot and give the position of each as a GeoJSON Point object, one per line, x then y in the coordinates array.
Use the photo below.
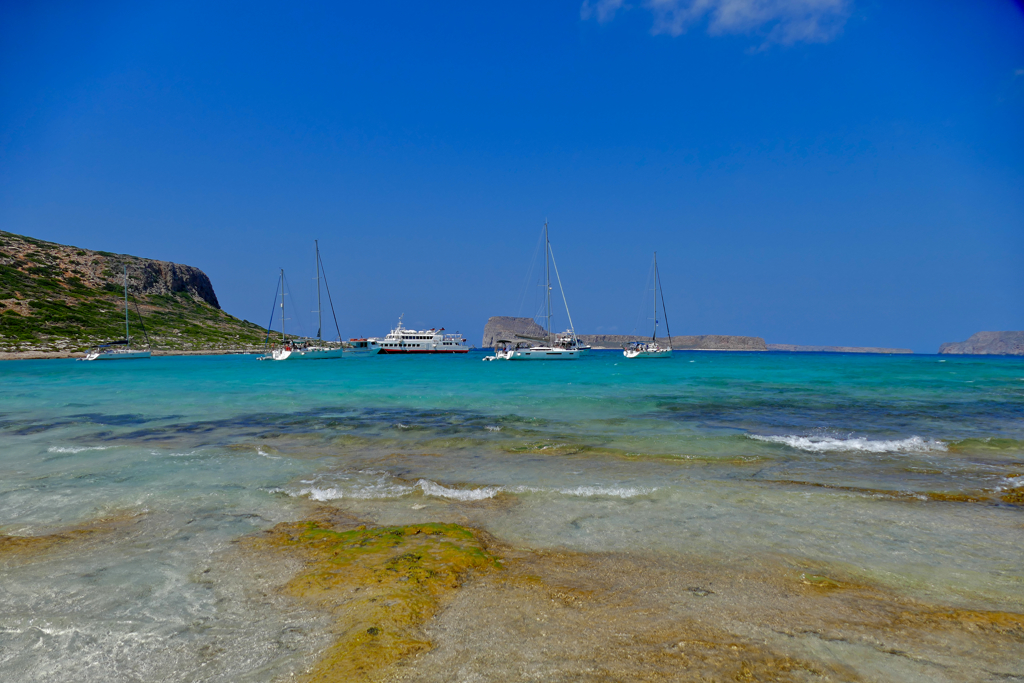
{"type": "Point", "coordinates": [710, 517]}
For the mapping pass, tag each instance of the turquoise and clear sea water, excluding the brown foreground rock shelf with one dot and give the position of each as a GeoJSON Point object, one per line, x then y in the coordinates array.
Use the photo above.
{"type": "Point", "coordinates": [837, 461]}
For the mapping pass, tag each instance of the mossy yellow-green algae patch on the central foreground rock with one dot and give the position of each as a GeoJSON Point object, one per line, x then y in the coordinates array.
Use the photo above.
{"type": "Point", "coordinates": [381, 584]}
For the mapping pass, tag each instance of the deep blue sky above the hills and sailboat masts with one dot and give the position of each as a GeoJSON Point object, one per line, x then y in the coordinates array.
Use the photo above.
{"type": "Point", "coordinates": [845, 173]}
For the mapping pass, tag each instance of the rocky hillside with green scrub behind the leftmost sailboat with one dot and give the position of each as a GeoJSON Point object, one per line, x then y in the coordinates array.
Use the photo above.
{"type": "Point", "coordinates": [60, 298]}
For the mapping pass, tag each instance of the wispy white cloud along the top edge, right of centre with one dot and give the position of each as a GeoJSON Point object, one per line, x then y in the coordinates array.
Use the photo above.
{"type": "Point", "coordinates": [783, 22]}
